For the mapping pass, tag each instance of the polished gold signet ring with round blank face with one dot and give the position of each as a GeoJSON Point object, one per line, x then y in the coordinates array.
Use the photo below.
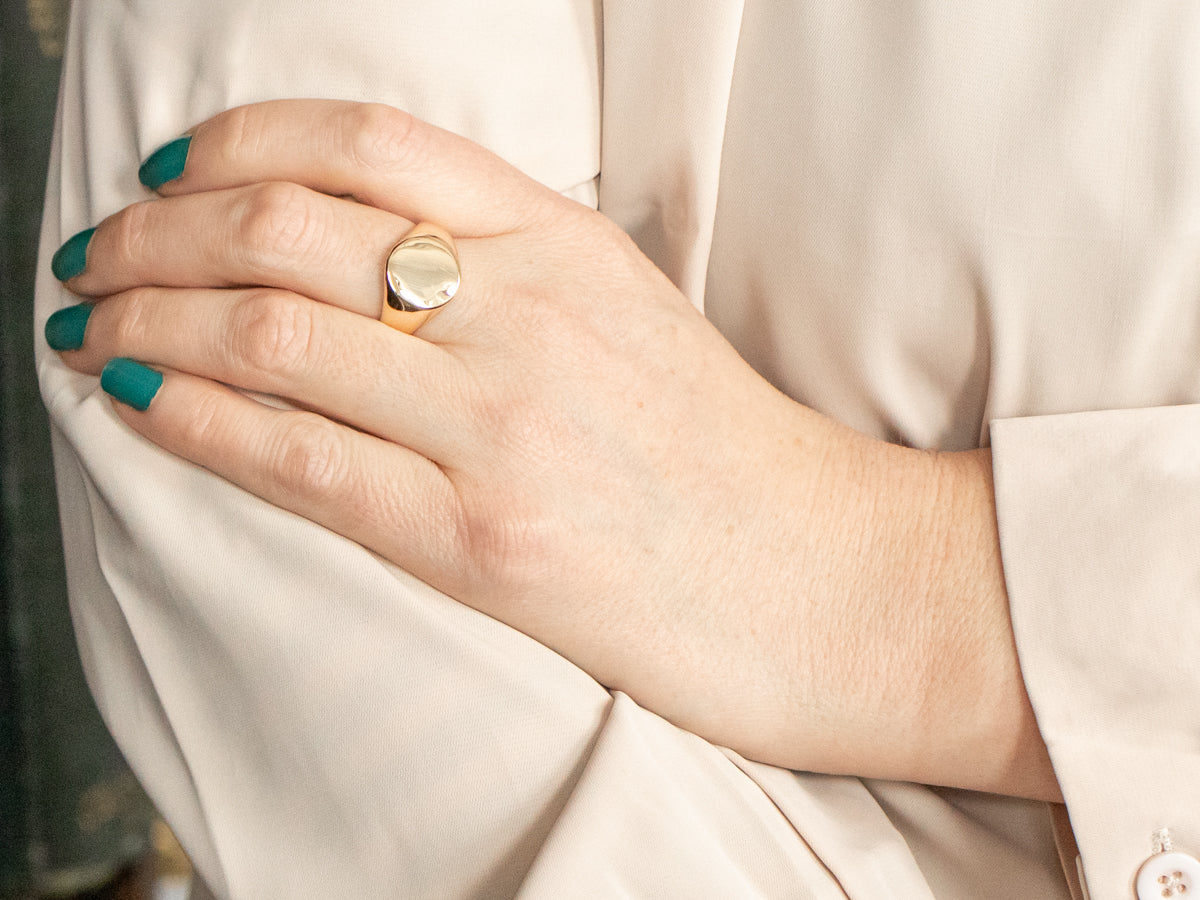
{"type": "Point", "coordinates": [422, 277]}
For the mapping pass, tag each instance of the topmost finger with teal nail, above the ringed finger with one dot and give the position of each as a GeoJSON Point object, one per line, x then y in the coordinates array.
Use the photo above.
{"type": "Point", "coordinates": [380, 155]}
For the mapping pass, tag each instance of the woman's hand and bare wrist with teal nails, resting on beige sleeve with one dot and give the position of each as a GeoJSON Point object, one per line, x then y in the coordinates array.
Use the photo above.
{"type": "Point", "coordinates": [568, 446]}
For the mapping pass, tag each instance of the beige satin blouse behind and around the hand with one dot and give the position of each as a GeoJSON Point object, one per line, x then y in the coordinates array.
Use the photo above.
{"type": "Point", "coordinates": [931, 224]}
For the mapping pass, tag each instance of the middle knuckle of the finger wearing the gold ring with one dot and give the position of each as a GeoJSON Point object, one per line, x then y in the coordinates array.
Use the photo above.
{"type": "Point", "coordinates": [277, 225]}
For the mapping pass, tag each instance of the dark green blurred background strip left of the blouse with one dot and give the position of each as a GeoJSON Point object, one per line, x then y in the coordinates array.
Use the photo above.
{"type": "Point", "coordinates": [71, 814]}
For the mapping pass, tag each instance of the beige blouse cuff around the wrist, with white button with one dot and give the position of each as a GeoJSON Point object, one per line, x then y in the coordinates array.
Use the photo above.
{"type": "Point", "coordinates": [1100, 523]}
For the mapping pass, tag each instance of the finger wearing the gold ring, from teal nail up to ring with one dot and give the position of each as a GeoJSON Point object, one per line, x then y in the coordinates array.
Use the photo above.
{"type": "Point", "coordinates": [275, 235]}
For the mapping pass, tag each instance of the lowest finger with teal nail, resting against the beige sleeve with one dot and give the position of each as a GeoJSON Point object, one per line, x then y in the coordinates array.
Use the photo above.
{"type": "Point", "coordinates": [380, 495]}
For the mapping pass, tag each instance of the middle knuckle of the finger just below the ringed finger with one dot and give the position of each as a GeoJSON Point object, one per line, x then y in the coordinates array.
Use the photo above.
{"type": "Point", "coordinates": [272, 332]}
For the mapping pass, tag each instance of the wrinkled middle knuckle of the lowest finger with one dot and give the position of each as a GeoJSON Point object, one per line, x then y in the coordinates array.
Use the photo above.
{"type": "Point", "coordinates": [310, 458]}
